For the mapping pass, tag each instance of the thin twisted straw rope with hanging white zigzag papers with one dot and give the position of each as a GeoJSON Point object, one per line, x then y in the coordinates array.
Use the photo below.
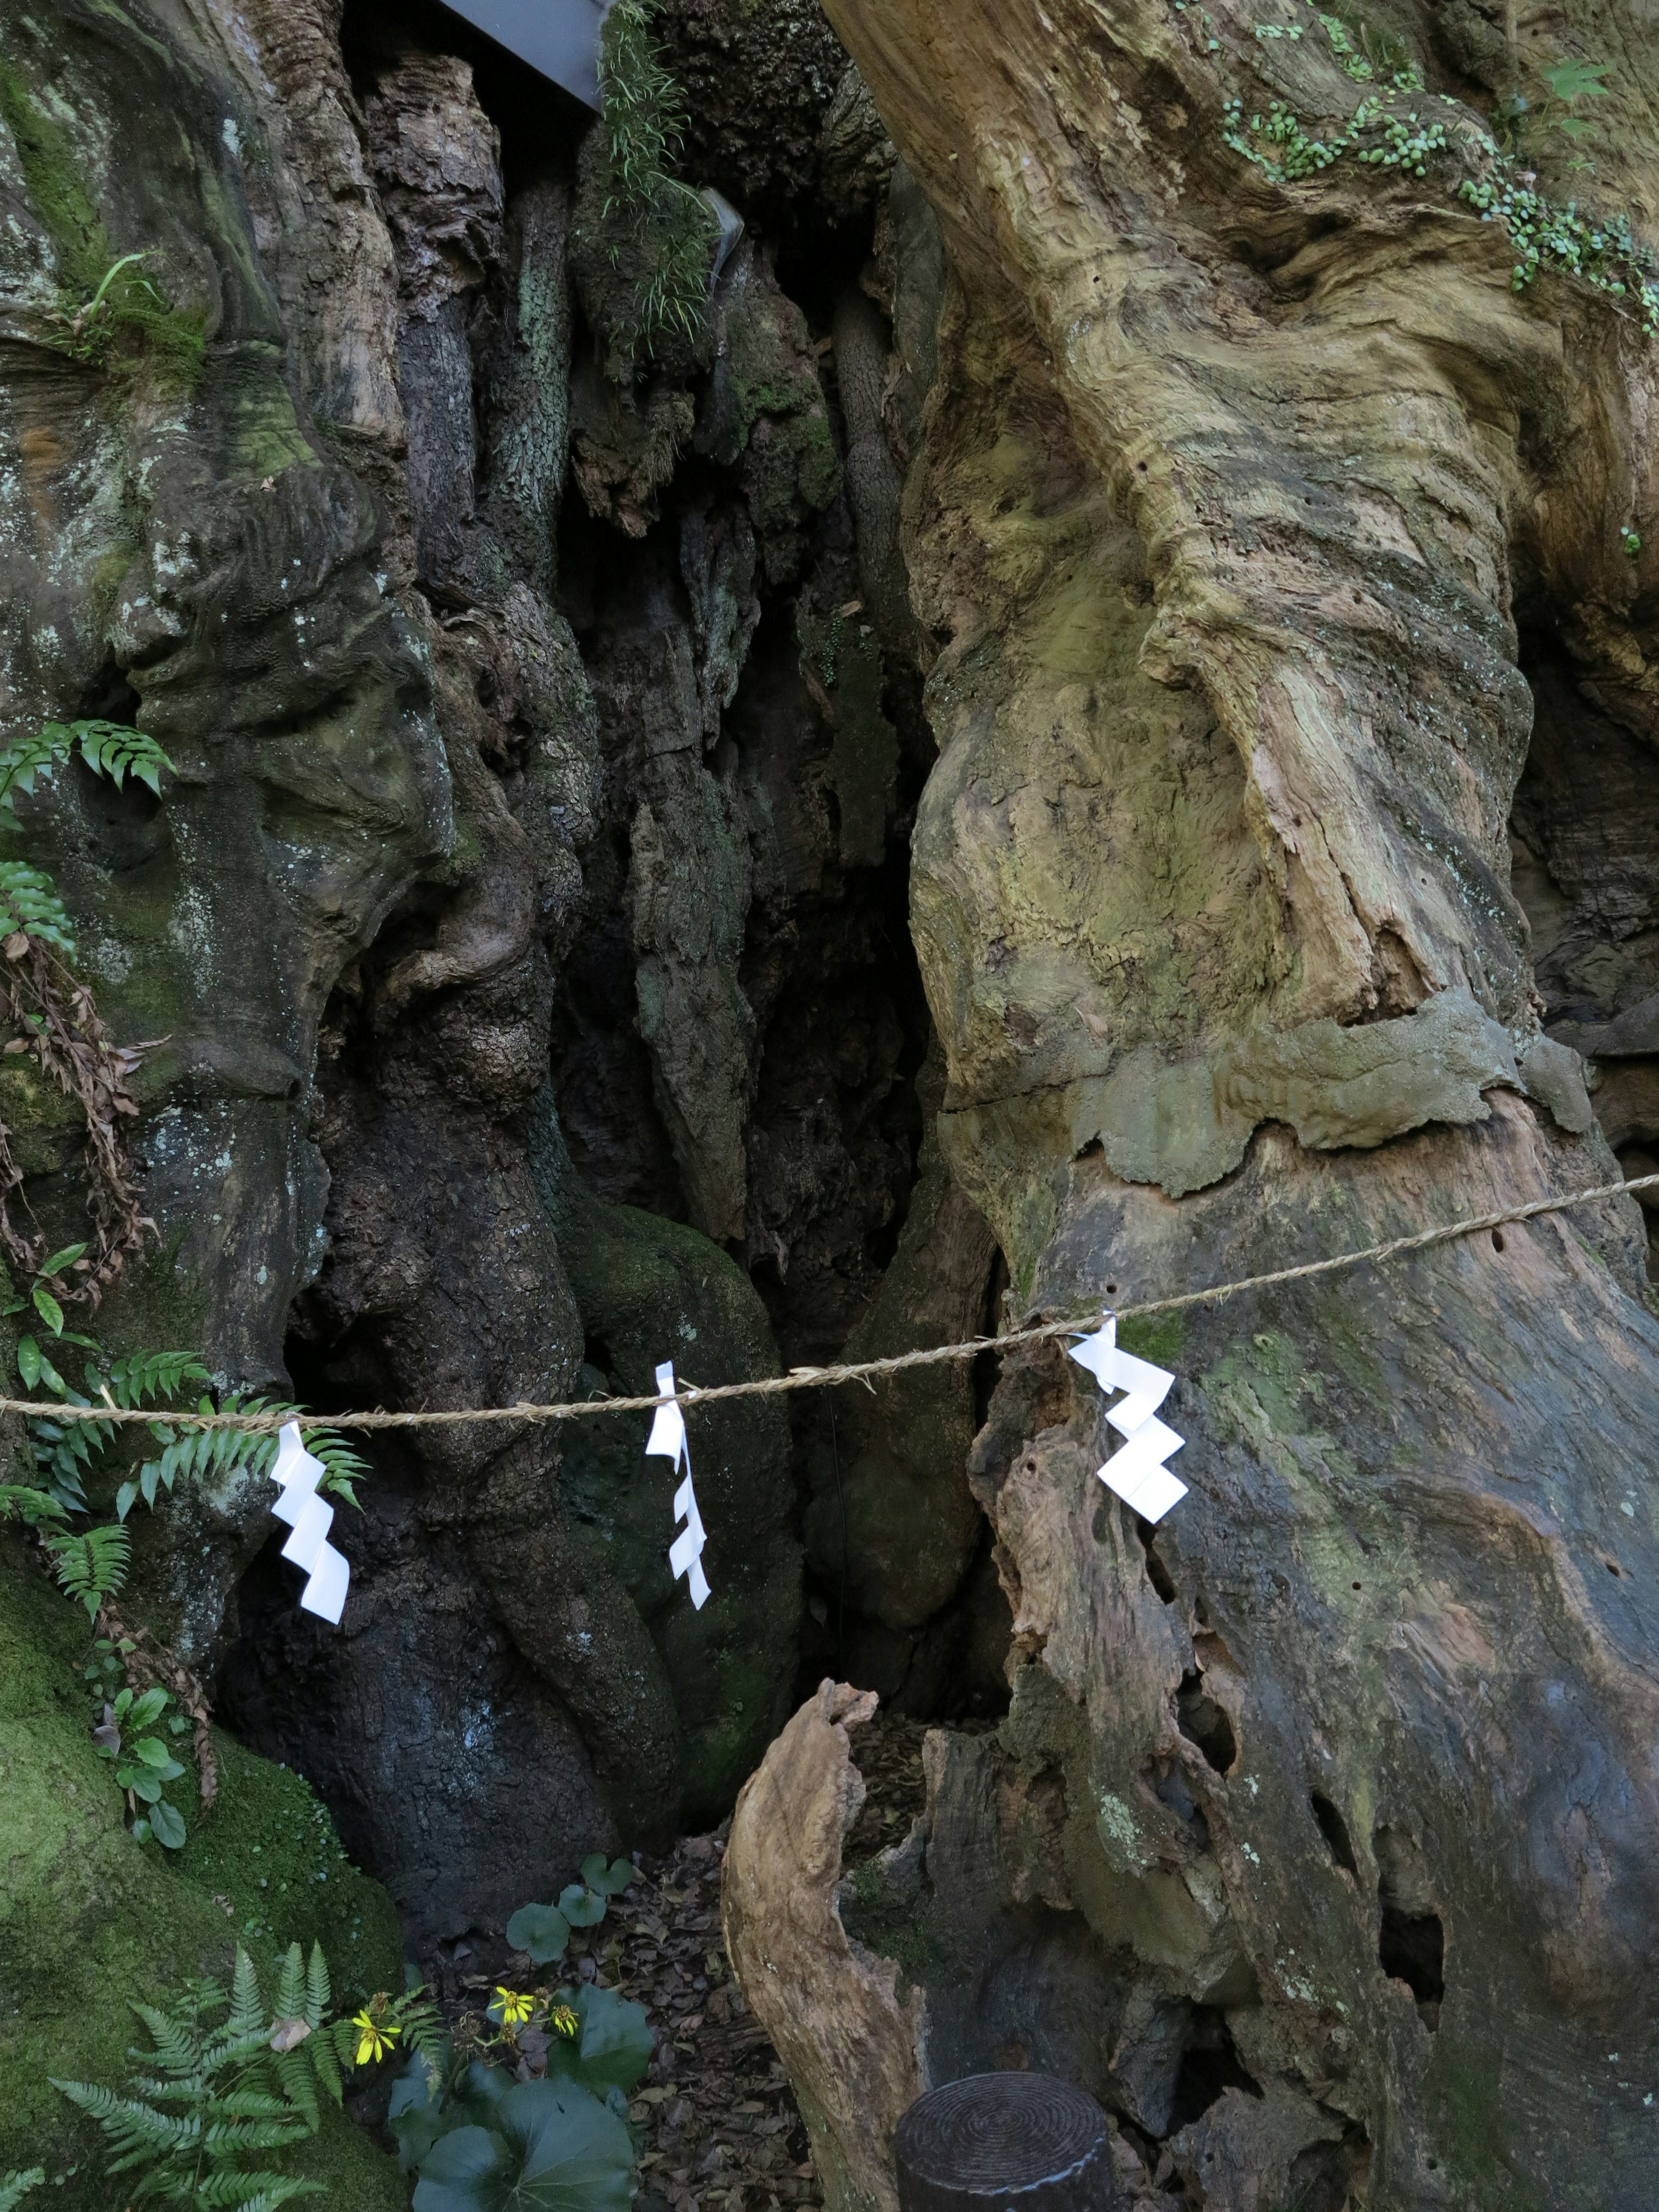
{"type": "Point", "coordinates": [831, 1377]}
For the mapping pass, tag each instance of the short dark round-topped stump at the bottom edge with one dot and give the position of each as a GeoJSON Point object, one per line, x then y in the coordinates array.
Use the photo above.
{"type": "Point", "coordinates": [1010, 2140]}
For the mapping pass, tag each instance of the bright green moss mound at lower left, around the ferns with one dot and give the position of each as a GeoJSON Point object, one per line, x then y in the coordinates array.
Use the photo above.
{"type": "Point", "coordinates": [90, 1919]}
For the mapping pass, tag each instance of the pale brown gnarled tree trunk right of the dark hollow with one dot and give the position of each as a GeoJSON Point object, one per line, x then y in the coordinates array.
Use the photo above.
{"type": "Point", "coordinates": [1319, 1837]}
